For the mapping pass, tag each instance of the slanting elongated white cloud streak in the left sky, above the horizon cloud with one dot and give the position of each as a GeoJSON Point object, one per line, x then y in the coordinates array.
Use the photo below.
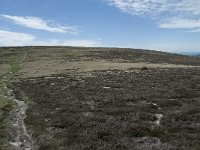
{"type": "Point", "coordinates": [40, 24]}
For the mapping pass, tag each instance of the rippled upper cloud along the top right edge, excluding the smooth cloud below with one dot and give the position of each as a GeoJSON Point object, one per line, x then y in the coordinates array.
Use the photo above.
{"type": "Point", "coordinates": [156, 7]}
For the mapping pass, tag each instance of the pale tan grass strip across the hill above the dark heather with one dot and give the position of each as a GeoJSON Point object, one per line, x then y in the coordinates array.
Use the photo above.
{"type": "Point", "coordinates": [49, 67]}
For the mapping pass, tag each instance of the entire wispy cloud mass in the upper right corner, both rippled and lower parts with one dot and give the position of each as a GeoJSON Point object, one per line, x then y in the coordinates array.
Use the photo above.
{"type": "Point", "coordinates": [182, 14]}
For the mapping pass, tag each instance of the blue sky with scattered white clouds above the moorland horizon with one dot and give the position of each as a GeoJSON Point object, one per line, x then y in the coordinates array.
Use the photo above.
{"type": "Point", "coordinates": [164, 25]}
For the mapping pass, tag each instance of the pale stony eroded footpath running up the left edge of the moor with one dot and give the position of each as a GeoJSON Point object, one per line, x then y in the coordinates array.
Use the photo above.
{"type": "Point", "coordinates": [19, 136]}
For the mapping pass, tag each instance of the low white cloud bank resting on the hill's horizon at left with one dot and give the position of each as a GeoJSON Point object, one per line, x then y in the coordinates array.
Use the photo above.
{"type": "Point", "coordinates": [8, 38]}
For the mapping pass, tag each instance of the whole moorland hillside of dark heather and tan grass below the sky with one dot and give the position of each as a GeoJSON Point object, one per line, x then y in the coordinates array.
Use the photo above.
{"type": "Point", "coordinates": [98, 98]}
